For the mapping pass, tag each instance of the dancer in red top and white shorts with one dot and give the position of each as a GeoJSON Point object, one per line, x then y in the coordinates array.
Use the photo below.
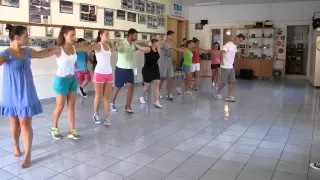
{"type": "Point", "coordinates": [195, 67]}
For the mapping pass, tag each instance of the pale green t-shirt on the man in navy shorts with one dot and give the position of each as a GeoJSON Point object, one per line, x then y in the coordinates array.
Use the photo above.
{"type": "Point", "coordinates": [125, 55]}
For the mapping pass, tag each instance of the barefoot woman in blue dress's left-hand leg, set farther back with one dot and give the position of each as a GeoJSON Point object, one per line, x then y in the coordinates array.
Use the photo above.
{"type": "Point", "coordinates": [15, 131]}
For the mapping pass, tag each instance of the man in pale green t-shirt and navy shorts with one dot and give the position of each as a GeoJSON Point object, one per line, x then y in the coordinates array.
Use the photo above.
{"type": "Point", "coordinates": [124, 72]}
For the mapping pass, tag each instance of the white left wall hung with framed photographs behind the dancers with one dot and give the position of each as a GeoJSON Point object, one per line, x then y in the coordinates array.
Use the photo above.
{"type": "Point", "coordinates": [44, 69]}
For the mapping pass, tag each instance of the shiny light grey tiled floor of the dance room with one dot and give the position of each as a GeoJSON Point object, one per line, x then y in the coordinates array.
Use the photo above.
{"type": "Point", "coordinates": [272, 132]}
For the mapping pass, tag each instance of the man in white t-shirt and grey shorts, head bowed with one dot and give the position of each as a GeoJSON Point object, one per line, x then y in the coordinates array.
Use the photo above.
{"type": "Point", "coordinates": [228, 54]}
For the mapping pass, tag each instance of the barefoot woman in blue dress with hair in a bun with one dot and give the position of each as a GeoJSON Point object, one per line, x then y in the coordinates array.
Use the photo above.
{"type": "Point", "coordinates": [20, 101]}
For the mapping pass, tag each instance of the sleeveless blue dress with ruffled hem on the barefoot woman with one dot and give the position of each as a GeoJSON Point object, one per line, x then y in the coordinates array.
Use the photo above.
{"type": "Point", "coordinates": [18, 90]}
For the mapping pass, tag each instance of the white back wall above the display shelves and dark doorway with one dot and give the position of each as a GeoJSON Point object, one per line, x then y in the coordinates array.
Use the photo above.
{"type": "Point", "coordinates": [236, 16]}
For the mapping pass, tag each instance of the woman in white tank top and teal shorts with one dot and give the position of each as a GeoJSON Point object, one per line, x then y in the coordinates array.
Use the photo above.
{"type": "Point", "coordinates": [65, 83]}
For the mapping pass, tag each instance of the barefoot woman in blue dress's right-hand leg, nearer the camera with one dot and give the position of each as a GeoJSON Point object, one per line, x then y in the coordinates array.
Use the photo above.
{"type": "Point", "coordinates": [27, 136]}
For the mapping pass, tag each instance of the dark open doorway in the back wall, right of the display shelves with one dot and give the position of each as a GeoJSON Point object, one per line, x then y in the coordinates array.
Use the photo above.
{"type": "Point", "coordinates": [297, 50]}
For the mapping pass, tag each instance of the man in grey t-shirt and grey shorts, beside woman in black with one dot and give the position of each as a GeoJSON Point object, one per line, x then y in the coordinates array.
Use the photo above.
{"type": "Point", "coordinates": [165, 64]}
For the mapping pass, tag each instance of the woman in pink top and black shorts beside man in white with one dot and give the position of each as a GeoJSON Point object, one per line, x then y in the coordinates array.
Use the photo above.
{"type": "Point", "coordinates": [215, 64]}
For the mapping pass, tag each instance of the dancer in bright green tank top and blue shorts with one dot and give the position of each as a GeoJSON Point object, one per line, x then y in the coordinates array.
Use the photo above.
{"type": "Point", "coordinates": [186, 67]}
